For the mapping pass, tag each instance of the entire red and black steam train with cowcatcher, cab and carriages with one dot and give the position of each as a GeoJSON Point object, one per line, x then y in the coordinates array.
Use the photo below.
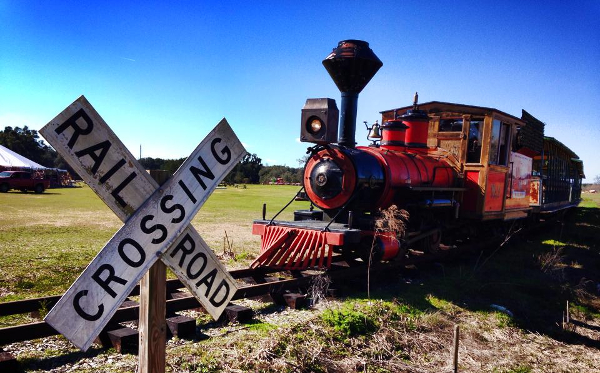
{"type": "Point", "coordinates": [456, 170]}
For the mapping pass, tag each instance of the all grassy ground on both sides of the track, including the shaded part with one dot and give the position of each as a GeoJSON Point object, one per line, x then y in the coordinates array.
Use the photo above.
{"type": "Point", "coordinates": [406, 325]}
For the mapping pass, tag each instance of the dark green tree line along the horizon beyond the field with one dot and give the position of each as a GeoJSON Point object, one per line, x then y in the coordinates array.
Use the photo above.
{"type": "Point", "coordinates": [249, 170]}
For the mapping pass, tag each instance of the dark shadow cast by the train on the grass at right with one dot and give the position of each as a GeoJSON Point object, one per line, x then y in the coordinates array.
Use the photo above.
{"type": "Point", "coordinates": [521, 276]}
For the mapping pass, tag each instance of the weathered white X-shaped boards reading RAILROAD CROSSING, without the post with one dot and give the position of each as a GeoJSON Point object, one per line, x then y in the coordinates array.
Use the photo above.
{"type": "Point", "coordinates": [157, 220]}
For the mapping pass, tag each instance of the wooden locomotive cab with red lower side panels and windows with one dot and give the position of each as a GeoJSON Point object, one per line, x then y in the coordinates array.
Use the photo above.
{"type": "Point", "coordinates": [481, 143]}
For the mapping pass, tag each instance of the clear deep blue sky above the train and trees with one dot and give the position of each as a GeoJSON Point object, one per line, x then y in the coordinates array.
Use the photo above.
{"type": "Point", "coordinates": [163, 74]}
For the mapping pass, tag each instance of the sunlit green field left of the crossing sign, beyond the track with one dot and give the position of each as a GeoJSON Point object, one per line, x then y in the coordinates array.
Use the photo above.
{"type": "Point", "coordinates": [48, 239]}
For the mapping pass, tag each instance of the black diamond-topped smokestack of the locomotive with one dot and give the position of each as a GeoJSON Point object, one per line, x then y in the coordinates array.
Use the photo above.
{"type": "Point", "coordinates": [351, 66]}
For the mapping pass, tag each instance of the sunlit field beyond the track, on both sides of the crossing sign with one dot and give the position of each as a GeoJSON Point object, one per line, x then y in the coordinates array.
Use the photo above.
{"type": "Point", "coordinates": [47, 239]}
